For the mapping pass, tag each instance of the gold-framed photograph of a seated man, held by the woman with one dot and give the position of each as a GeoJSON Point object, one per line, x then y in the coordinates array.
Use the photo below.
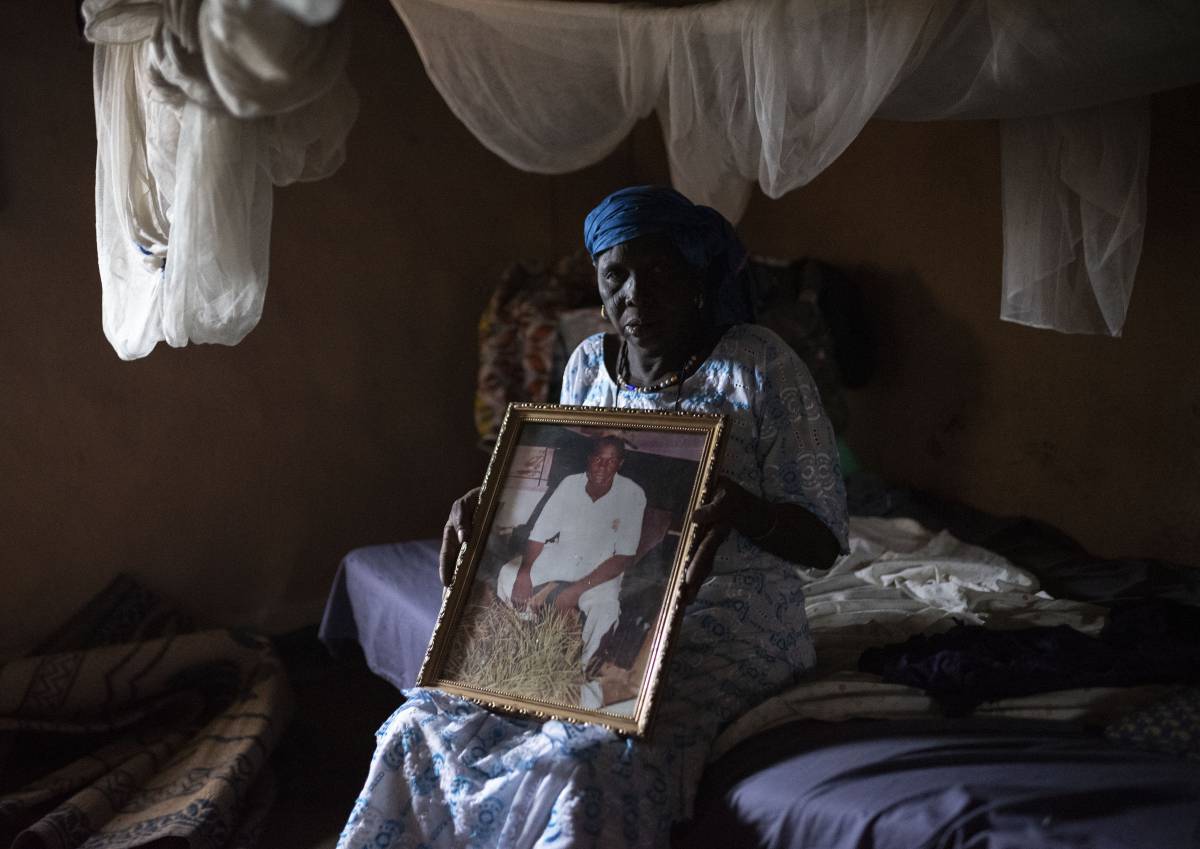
{"type": "Point", "coordinates": [567, 595]}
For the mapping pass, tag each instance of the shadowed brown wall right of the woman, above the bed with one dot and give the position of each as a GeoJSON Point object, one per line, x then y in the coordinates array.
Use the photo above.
{"type": "Point", "coordinates": [1096, 435]}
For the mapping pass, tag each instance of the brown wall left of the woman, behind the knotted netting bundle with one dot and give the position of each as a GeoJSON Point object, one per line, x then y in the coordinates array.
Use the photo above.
{"type": "Point", "coordinates": [235, 479]}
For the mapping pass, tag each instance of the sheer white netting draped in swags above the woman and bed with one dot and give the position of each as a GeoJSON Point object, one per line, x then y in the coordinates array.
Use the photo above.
{"type": "Point", "coordinates": [772, 92]}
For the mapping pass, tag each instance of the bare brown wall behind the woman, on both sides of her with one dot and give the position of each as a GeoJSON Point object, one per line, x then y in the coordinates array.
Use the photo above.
{"type": "Point", "coordinates": [235, 479]}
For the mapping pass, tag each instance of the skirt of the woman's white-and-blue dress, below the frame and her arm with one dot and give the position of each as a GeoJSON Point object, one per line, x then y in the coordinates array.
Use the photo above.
{"type": "Point", "coordinates": [451, 774]}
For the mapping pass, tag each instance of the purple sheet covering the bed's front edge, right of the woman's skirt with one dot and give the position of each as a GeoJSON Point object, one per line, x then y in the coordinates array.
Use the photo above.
{"type": "Point", "coordinates": [963, 784]}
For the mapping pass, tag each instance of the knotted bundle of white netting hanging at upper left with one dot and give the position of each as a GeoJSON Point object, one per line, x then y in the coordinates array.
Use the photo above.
{"type": "Point", "coordinates": [203, 107]}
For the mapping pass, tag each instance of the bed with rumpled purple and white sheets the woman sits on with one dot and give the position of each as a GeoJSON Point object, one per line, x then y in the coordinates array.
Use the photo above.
{"type": "Point", "coordinates": [856, 758]}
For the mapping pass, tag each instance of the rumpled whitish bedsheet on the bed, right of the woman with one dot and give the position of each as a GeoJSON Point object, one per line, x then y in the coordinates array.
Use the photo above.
{"type": "Point", "coordinates": [901, 580]}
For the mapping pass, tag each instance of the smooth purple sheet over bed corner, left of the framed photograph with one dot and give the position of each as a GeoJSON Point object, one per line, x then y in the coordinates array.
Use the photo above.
{"type": "Point", "coordinates": [385, 603]}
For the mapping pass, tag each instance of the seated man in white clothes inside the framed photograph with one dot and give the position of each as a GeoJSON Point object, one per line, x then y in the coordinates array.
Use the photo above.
{"type": "Point", "coordinates": [583, 543]}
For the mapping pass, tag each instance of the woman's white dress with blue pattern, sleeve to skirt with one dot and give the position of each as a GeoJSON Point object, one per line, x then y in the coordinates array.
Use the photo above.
{"type": "Point", "coordinates": [449, 774]}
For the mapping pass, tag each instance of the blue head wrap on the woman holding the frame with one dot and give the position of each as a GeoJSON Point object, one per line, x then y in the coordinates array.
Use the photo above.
{"type": "Point", "coordinates": [701, 234]}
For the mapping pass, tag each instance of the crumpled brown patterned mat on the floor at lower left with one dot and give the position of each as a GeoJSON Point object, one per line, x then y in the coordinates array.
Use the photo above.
{"type": "Point", "coordinates": [124, 732]}
